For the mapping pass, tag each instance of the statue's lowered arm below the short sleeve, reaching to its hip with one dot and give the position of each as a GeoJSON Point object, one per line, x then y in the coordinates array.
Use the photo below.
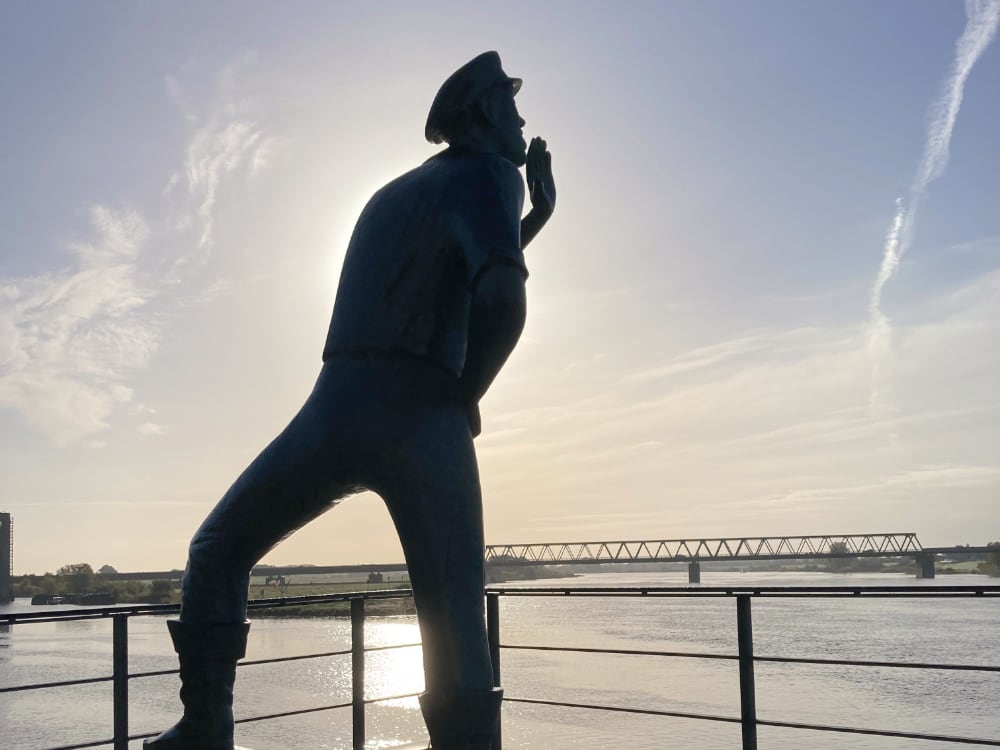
{"type": "Point", "coordinates": [496, 320]}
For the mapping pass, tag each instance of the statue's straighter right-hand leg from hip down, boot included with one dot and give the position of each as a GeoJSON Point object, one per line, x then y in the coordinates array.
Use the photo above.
{"type": "Point", "coordinates": [435, 500]}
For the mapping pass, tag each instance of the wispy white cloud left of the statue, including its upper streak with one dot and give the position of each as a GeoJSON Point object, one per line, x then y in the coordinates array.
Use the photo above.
{"type": "Point", "coordinates": [71, 339]}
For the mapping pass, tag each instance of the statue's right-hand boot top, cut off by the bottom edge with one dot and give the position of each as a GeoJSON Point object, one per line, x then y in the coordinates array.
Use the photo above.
{"type": "Point", "coordinates": [461, 719]}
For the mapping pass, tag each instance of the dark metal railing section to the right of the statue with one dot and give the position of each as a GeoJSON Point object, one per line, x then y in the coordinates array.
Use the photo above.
{"type": "Point", "coordinates": [745, 656]}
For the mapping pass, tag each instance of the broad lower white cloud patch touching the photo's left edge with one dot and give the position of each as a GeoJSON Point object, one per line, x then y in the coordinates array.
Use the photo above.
{"type": "Point", "coordinates": [70, 338]}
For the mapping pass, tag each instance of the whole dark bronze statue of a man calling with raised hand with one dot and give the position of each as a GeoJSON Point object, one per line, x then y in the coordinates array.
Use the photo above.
{"type": "Point", "coordinates": [430, 305]}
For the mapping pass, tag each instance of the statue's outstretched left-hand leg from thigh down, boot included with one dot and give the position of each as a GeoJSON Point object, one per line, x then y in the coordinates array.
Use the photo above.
{"type": "Point", "coordinates": [292, 481]}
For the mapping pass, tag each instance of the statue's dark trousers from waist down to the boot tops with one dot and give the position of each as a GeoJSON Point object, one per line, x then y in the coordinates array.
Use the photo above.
{"type": "Point", "coordinates": [390, 425]}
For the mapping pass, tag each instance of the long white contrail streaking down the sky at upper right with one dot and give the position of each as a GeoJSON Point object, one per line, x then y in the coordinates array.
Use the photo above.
{"type": "Point", "coordinates": [983, 18]}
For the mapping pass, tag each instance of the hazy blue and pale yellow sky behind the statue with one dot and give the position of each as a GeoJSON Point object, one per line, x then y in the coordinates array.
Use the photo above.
{"type": "Point", "coordinates": [768, 302]}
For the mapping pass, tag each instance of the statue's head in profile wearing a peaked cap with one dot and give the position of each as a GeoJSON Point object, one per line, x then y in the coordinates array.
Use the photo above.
{"type": "Point", "coordinates": [475, 107]}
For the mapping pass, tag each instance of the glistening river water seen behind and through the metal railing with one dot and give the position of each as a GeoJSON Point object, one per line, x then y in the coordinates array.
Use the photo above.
{"type": "Point", "coordinates": [919, 630]}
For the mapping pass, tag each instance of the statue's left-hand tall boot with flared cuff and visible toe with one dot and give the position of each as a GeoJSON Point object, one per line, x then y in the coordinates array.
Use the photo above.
{"type": "Point", "coordinates": [208, 656]}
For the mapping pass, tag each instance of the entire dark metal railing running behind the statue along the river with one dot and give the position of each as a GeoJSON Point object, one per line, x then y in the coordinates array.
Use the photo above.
{"type": "Point", "coordinates": [745, 655]}
